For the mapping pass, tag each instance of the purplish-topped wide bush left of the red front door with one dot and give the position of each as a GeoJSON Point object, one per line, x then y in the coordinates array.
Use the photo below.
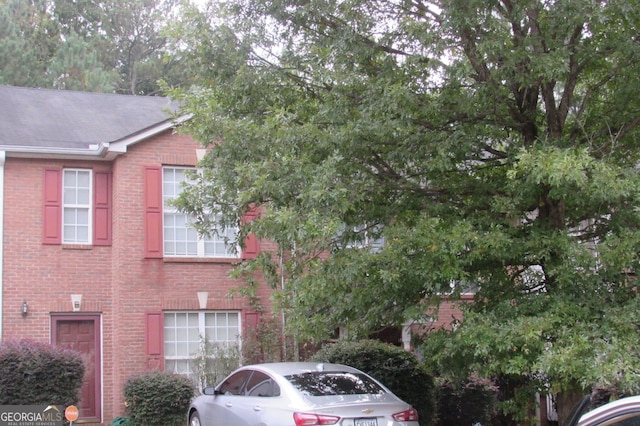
{"type": "Point", "coordinates": [36, 373]}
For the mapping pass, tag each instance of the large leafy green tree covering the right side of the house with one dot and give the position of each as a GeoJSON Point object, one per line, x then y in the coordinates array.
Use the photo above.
{"type": "Point", "coordinates": [493, 144]}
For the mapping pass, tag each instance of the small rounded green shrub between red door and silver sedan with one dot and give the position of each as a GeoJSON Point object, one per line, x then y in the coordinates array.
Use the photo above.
{"type": "Point", "coordinates": [157, 398]}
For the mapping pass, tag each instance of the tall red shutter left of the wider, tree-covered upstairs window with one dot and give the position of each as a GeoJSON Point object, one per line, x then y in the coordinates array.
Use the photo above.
{"type": "Point", "coordinates": [153, 212]}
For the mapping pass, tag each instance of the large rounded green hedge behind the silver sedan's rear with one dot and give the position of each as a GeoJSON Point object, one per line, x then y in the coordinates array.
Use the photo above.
{"type": "Point", "coordinates": [396, 368]}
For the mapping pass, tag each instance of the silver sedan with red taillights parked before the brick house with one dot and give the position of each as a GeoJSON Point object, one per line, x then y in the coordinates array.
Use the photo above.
{"type": "Point", "coordinates": [300, 394]}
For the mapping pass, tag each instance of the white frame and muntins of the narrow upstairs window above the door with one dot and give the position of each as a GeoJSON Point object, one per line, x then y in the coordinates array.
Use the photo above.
{"type": "Point", "coordinates": [76, 207]}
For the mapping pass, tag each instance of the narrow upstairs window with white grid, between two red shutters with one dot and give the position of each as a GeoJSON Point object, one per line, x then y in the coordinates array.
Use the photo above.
{"type": "Point", "coordinates": [76, 206]}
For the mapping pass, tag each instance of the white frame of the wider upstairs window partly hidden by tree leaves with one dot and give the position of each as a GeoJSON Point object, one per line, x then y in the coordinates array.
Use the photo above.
{"type": "Point", "coordinates": [190, 234]}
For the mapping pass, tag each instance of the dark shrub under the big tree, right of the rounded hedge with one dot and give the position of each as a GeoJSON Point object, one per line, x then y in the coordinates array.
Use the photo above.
{"type": "Point", "coordinates": [468, 403]}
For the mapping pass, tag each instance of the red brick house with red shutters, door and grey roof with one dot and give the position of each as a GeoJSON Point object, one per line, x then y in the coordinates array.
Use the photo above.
{"type": "Point", "coordinates": [92, 258]}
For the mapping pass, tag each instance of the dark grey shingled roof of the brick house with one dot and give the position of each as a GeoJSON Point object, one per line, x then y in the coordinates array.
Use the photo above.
{"type": "Point", "coordinates": [55, 121]}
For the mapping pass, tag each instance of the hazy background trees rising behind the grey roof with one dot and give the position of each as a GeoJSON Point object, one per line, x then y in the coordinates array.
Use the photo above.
{"type": "Point", "coordinates": [89, 45]}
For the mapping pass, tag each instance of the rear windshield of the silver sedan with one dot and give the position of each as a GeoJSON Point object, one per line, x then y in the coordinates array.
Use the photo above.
{"type": "Point", "coordinates": [327, 383]}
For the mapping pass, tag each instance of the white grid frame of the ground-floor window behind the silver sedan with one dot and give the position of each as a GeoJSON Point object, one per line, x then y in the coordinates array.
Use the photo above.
{"type": "Point", "coordinates": [177, 358]}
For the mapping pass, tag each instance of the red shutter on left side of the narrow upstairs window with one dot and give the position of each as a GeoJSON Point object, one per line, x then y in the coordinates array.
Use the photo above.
{"type": "Point", "coordinates": [52, 211]}
